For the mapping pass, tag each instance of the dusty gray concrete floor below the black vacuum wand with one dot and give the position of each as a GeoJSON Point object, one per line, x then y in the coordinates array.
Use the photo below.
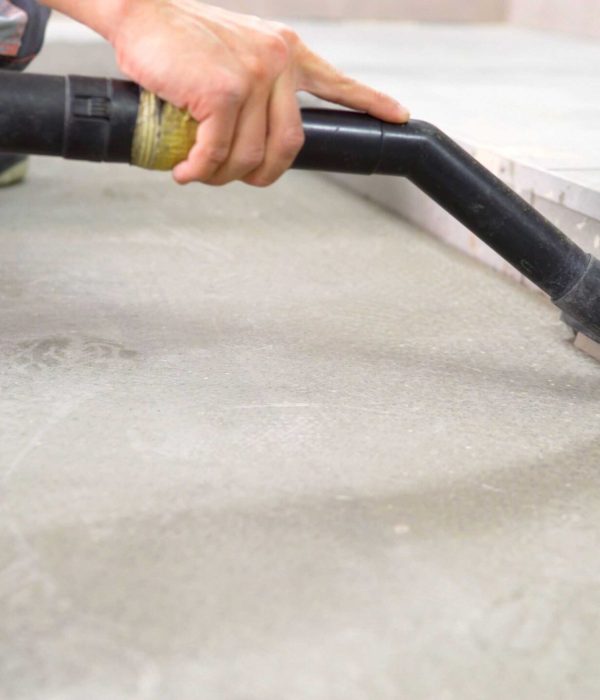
{"type": "Point", "coordinates": [265, 445]}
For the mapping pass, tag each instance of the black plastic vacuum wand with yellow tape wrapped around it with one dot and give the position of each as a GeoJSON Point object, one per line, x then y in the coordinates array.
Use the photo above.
{"type": "Point", "coordinates": [113, 120]}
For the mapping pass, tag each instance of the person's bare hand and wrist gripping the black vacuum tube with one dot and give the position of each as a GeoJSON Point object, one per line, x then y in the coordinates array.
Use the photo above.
{"type": "Point", "coordinates": [236, 74]}
